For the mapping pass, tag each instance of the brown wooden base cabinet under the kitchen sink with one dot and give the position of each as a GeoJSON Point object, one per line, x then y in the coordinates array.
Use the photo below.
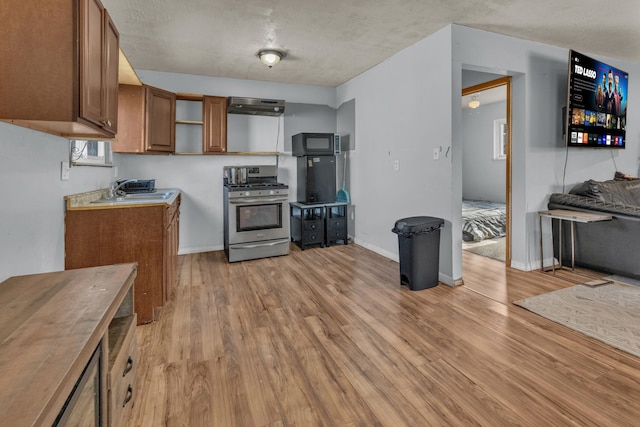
{"type": "Point", "coordinates": [146, 234]}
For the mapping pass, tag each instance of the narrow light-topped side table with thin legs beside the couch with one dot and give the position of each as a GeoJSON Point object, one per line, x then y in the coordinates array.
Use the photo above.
{"type": "Point", "coordinates": [572, 217]}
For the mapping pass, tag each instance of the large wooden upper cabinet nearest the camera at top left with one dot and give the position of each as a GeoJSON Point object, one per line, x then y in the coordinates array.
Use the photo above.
{"type": "Point", "coordinates": [58, 72]}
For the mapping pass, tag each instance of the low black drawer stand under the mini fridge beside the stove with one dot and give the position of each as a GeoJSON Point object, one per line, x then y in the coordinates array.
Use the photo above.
{"type": "Point", "coordinates": [323, 224]}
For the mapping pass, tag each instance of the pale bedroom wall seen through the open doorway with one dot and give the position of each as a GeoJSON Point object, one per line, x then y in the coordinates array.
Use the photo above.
{"type": "Point", "coordinates": [483, 176]}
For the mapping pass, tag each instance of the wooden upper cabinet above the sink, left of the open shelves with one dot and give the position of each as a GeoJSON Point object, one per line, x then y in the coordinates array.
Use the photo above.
{"type": "Point", "coordinates": [146, 120]}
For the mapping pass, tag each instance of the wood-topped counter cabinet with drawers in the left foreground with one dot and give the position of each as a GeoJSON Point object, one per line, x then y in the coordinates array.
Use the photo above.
{"type": "Point", "coordinates": [51, 325]}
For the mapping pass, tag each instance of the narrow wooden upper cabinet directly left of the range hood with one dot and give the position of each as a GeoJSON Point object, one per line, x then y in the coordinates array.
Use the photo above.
{"type": "Point", "coordinates": [214, 126]}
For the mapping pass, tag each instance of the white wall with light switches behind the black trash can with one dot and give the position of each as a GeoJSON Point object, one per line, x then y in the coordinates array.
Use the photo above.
{"type": "Point", "coordinates": [403, 111]}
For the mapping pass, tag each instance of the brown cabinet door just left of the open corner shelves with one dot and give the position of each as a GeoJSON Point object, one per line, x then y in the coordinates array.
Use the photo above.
{"type": "Point", "coordinates": [160, 129]}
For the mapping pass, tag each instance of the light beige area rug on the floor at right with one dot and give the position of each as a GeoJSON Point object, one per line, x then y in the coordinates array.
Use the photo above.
{"type": "Point", "coordinates": [609, 313]}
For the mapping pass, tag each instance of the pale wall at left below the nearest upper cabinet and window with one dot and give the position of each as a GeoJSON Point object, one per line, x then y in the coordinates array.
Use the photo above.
{"type": "Point", "coordinates": [32, 212]}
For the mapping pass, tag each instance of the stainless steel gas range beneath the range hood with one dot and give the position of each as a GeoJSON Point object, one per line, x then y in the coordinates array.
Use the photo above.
{"type": "Point", "coordinates": [256, 213]}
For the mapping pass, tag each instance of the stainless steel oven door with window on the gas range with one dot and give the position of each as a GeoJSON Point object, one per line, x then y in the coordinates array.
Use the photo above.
{"type": "Point", "coordinates": [258, 219]}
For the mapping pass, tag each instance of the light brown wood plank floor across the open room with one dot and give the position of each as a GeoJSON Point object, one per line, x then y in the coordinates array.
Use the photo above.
{"type": "Point", "coordinates": [328, 337]}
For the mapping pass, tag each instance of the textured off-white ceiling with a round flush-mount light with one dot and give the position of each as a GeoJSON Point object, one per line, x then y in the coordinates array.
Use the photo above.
{"type": "Point", "coordinates": [328, 42]}
